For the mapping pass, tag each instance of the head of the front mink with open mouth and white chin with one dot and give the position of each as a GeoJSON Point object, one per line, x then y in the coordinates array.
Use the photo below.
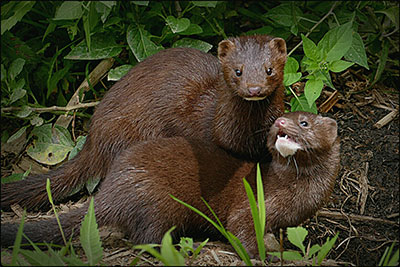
{"type": "Point", "coordinates": [301, 134]}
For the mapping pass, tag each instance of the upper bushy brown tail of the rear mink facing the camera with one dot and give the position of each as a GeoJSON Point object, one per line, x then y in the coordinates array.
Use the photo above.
{"type": "Point", "coordinates": [31, 192]}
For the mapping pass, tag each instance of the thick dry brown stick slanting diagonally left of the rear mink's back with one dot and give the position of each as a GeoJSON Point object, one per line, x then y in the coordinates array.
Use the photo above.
{"type": "Point", "coordinates": [94, 78]}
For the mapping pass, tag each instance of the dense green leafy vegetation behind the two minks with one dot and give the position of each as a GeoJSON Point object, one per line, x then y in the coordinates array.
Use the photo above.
{"type": "Point", "coordinates": [60, 57]}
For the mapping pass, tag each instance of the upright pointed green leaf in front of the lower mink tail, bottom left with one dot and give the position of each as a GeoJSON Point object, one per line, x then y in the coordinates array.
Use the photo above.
{"type": "Point", "coordinates": [90, 238]}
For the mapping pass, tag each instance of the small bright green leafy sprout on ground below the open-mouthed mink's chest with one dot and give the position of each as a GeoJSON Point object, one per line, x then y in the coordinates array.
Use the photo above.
{"type": "Point", "coordinates": [317, 253]}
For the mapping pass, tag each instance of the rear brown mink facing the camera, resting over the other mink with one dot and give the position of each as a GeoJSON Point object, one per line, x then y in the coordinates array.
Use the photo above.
{"type": "Point", "coordinates": [228, 100]}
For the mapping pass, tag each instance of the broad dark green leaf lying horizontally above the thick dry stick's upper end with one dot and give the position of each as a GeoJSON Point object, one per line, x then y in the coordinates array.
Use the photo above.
{"type": "Point", "coordinates": [102, 47]}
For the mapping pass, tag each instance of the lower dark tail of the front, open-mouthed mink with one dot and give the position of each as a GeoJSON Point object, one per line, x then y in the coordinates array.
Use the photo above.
{"type": "Point", "coordinates": [45, 230]}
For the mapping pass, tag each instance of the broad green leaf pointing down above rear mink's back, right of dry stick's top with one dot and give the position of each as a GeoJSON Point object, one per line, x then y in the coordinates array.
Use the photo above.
{"type": "Point", "coordinates": [139, 42]}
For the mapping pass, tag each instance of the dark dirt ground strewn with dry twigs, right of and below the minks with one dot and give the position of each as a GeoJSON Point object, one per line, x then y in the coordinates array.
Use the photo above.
{"type": "Point", "coordinates": [364, 207]}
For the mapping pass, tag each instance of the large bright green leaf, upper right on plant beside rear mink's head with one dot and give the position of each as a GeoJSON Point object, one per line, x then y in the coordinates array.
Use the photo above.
{"type": "Point", "coordinates": [336, 42]}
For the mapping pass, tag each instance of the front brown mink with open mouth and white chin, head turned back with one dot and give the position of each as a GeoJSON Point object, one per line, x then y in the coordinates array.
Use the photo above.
{"type": "Point", "coordinates": [135, 194]}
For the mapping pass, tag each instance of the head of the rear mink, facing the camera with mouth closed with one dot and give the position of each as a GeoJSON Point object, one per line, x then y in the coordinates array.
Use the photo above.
{"type": "Point", "coordinates": [253, 65]}
